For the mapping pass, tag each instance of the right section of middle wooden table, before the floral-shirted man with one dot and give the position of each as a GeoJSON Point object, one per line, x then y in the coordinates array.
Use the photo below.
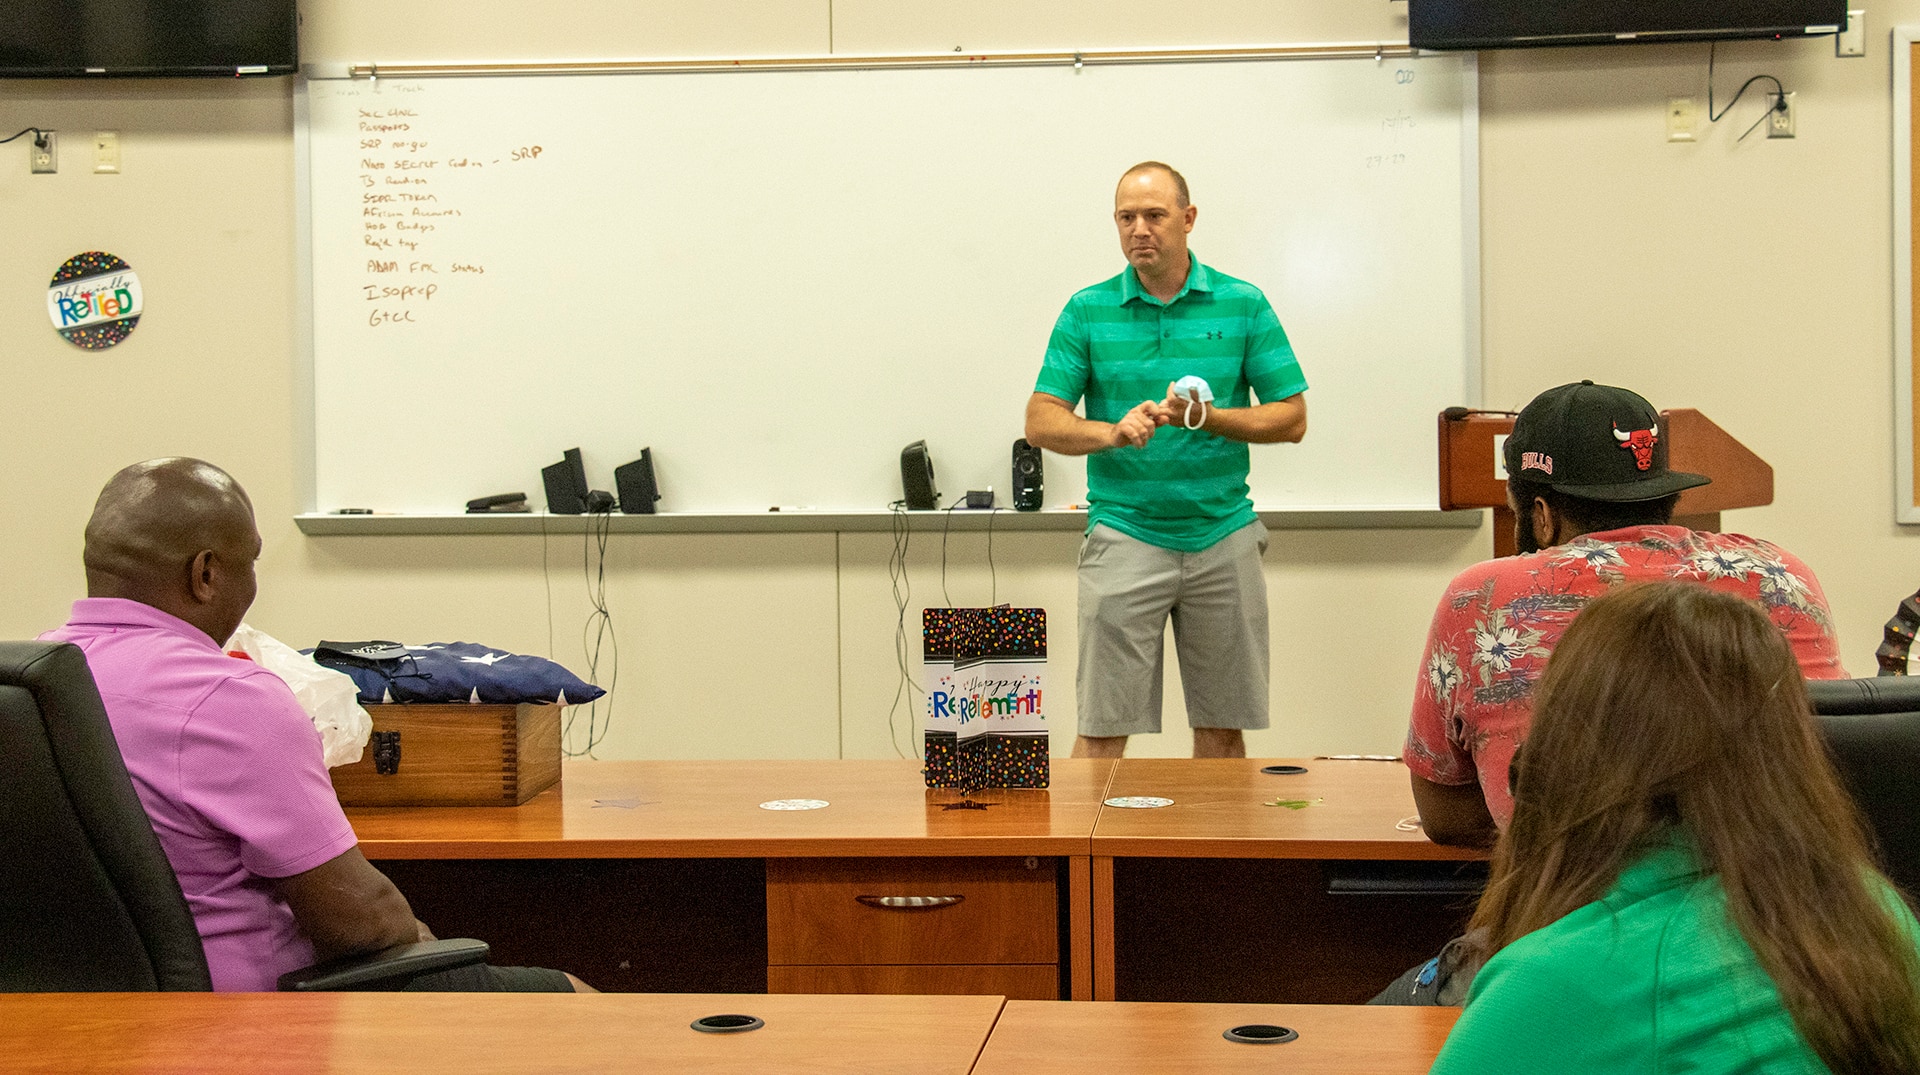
{"type": "Point", "coordinates": [1226, 897]}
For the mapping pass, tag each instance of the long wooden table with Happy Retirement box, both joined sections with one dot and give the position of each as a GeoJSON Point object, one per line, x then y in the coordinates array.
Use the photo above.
{"type": "Point", "coordinates": [671, 876]}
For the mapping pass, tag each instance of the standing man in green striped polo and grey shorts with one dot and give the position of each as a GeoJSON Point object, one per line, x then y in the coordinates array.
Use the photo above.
{"type": "Point", "coordinates": [1170, 527]}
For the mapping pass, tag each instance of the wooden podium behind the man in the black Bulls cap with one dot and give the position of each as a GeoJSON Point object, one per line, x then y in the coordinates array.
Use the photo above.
{"type": "Point", "coordinates": [1472, 471]}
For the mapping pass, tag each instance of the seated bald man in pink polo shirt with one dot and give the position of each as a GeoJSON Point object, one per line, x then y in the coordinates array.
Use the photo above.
{"type": "Point", "coordinates": [222, 755]}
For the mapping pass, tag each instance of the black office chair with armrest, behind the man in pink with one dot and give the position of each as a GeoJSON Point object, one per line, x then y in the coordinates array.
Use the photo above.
{"type": "Point", "coordinates": [87, 897]}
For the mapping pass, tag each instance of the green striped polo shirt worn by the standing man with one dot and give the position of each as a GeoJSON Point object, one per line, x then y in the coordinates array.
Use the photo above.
{"type": "Point", "coordinates": [1116, 346]}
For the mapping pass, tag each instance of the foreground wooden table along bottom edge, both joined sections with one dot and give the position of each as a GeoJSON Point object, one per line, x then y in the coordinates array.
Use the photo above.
{"type": "Point", "coordinates": [423, 1034]}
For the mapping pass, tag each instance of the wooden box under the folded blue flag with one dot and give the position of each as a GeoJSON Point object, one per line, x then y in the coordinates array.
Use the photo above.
{"type": "Point", "coordinates": [456, 755]}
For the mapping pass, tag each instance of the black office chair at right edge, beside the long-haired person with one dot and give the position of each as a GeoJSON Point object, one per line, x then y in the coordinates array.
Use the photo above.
{"type": "Point", "coordinates": [1873, 730]}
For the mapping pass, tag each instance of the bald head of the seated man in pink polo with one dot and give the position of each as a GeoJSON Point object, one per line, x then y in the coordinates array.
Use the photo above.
{"type": "Point", "coordinates": [176, 535]}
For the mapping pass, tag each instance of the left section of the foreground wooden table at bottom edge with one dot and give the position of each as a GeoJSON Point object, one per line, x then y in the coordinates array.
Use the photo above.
{"type": "Point", "coordinates": [464, 1034]}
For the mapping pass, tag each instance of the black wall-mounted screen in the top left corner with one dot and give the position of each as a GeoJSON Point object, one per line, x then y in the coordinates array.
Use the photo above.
{"type": "Point", "coordinates": [76, 39]}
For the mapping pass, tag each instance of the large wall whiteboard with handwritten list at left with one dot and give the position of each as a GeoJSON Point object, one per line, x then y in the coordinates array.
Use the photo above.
{"type": "Point", "coordinates": [779, 279]}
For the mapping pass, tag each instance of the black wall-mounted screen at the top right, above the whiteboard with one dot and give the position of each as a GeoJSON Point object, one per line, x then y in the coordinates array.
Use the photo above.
{"type": "Point", "coordinates": [1524, 24]}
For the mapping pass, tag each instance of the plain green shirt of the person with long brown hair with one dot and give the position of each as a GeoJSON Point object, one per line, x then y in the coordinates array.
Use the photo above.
{"type": "Point", "coordinates": [1652, 978]}
